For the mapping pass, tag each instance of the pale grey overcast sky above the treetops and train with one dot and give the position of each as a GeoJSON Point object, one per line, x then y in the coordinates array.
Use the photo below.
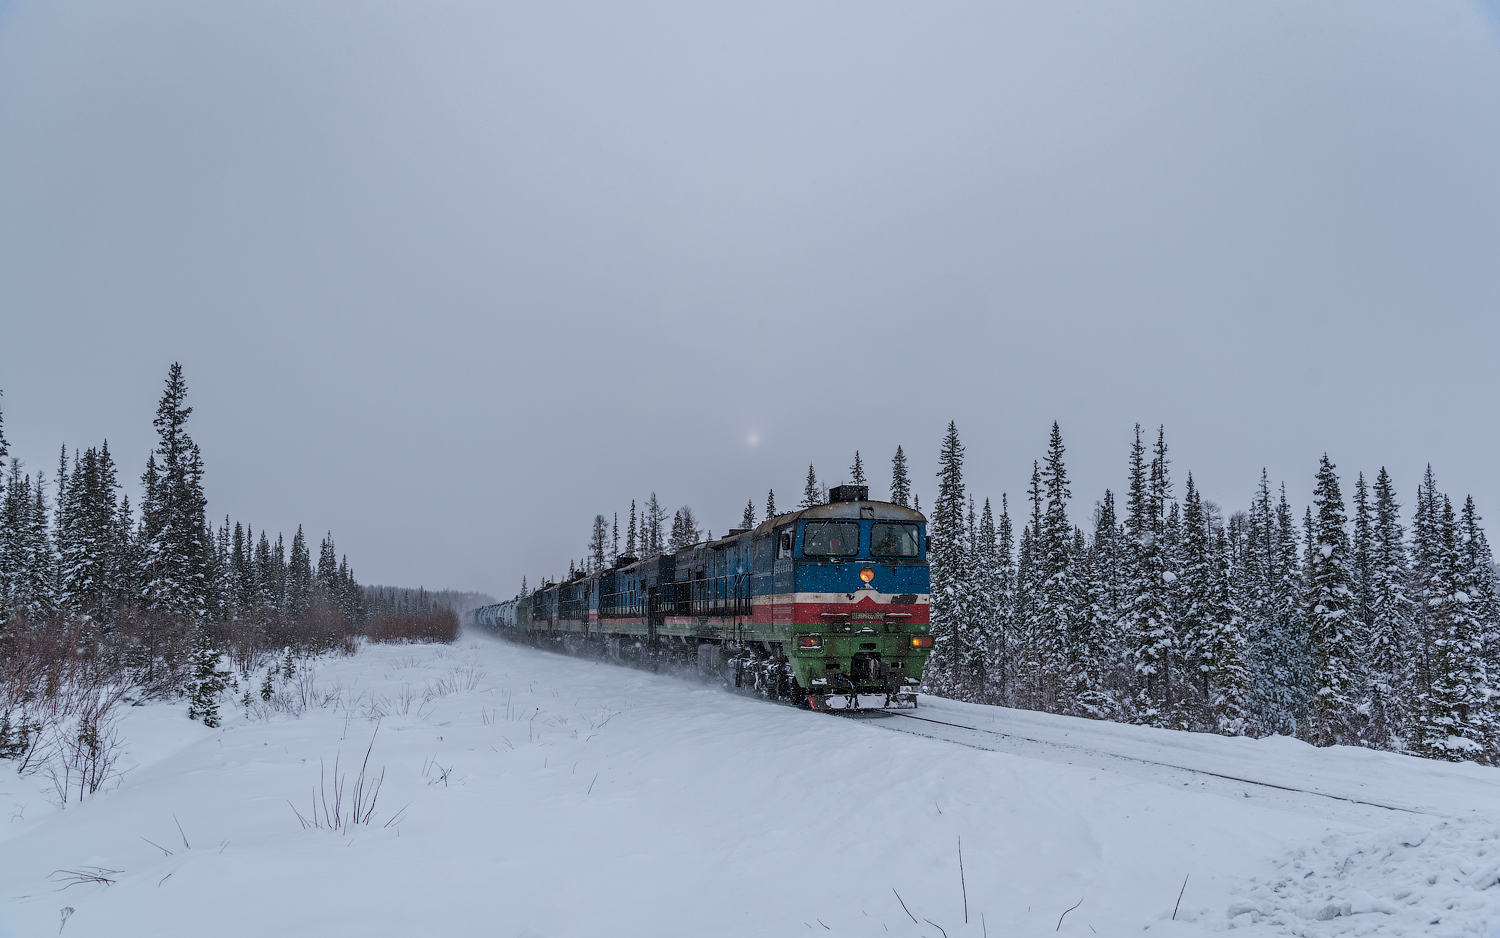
{"type": "Point", "coordinates": [451, 278]}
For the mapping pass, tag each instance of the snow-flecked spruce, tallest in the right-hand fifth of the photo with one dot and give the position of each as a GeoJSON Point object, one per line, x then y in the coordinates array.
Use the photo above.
{"type": "Point", "coordinates": [1336, 639]}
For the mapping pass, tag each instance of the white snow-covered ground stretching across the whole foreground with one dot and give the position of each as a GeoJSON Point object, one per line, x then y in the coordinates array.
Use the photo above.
{"type": "Point", "coordinates": [544, 796]}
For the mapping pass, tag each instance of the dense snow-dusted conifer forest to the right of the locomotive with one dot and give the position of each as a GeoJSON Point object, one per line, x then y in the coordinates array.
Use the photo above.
{"type": "Point", "coordinates": [1354, 622]}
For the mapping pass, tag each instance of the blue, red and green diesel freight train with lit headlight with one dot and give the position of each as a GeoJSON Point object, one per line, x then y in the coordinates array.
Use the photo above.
{"type": "Point", "coordinates": [826, 607]}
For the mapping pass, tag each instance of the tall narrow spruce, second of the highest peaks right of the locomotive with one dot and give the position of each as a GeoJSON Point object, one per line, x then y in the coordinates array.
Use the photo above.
{"type": "Point", "coordinates": [1057, 589]}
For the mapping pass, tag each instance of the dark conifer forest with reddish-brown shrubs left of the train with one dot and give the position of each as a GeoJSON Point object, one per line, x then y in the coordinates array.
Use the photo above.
{"type": "Point", "coordinates": [104, 601]}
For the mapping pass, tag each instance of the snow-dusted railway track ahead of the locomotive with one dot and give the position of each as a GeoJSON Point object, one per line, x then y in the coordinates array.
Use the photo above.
{"type": "Point", "coordinates": [1013, 744]}
